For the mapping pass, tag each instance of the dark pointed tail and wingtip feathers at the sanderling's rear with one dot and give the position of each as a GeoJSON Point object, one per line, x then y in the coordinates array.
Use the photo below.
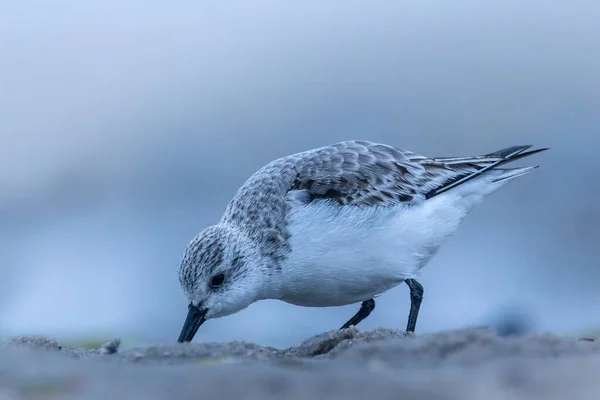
{"type": "Point", "coordinates": [469, 168]}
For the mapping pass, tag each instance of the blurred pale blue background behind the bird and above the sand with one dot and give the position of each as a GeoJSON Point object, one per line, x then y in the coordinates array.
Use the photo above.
{"type": "Point", "coordinates": [126, 127]}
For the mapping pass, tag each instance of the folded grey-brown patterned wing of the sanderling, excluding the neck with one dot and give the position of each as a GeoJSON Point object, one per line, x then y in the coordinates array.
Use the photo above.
{"type": "Point", "coordinates": [361, 173]}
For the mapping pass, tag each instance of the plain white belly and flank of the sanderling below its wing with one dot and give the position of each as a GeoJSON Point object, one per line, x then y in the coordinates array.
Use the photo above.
{"type": "Point", "coordinates": [344, 255]}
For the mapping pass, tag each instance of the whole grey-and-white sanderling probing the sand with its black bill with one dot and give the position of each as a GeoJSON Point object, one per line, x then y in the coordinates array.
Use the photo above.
{"type": "Point", "coordinates": [335, 225]}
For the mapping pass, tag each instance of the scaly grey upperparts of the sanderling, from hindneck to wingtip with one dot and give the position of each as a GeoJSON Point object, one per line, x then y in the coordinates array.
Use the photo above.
{"type": "Point", "coordinates": [352, 173]}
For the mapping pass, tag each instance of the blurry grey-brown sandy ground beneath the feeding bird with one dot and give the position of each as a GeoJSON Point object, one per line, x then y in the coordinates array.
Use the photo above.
{"type": "Point", "coordinates": [380, 364]}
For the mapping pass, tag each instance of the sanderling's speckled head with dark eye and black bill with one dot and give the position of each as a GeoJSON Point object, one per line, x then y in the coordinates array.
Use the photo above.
{"type": "Point", "coordinates": [221, 273]}
